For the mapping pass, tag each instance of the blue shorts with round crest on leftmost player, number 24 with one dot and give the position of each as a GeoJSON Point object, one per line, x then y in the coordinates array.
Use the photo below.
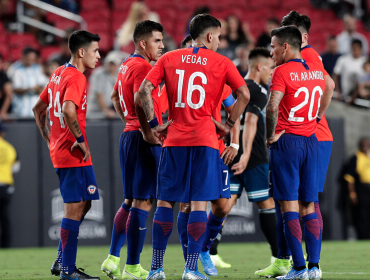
{"type": "Point", "coordinates": [77, 184]}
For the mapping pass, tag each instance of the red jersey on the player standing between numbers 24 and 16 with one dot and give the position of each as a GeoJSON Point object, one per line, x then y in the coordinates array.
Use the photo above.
{"type": "Point", "coordinates": [130, 76]}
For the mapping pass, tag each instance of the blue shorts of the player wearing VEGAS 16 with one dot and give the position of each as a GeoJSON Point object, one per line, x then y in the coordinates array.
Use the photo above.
{"type": "Point", "coordinates": [189, 174]}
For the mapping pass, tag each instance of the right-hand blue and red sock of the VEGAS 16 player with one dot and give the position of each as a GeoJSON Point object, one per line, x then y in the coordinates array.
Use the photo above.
{"type": "Point", "coordinates": [196, 231]}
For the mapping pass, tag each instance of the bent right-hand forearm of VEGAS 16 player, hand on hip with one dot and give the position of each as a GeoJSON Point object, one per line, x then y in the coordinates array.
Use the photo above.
{"type": "Point", "coordinates": [239, 106]}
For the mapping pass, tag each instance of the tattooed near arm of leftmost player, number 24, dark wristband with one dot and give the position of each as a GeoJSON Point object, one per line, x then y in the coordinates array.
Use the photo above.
{"type": "Point", "coordinates": [70, 116]}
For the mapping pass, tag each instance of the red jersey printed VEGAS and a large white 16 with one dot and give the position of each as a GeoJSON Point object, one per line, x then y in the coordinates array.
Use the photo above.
{"type": "Point", "coordinates": [194, 80]}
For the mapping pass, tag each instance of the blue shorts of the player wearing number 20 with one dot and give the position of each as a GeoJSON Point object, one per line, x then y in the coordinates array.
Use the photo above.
{"type": "Point", "coordinates": [294, 170]}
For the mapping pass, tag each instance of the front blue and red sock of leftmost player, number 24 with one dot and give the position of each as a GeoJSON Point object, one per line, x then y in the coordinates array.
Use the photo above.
{"type": "Point", "coordinates": [68, 234]}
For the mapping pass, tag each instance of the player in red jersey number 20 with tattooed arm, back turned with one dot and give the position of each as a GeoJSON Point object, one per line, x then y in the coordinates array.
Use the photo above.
{"type": "Point", "coordinates": [297, 98]}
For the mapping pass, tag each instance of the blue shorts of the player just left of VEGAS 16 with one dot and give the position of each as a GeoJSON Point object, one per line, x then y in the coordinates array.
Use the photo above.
{"type": "Point", "coordinates": [139, 165]}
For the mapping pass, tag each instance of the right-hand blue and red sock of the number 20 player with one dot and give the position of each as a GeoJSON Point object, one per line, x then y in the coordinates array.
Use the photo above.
{"type": "Point", "coordinates": [312, 235]}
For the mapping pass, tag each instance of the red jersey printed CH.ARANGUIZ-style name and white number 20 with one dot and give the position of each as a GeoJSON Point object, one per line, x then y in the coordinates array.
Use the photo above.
{"type": "Point", "coordinates": [302, 90]}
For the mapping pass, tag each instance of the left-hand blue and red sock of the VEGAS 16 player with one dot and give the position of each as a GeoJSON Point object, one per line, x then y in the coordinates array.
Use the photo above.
{"type": "Point", "coordinates": [162, 228]}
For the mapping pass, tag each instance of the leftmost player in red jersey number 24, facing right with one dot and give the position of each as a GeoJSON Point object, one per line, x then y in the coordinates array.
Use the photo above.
{"type": "Point", "coordinates": [64, 99]}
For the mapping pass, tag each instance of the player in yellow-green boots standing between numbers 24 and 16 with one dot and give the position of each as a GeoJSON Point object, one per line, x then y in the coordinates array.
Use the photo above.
{"type": "Point", "coordinates": [139, 159]}
